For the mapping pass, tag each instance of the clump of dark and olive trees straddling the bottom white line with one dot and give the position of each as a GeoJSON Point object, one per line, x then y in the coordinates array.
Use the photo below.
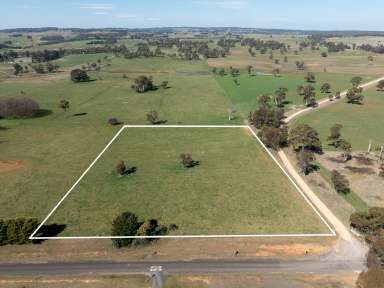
{"type": "Point", "coordinates": [128, 224]}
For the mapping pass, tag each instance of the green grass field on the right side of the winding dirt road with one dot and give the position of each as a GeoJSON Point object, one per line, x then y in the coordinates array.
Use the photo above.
{"type": "Point", "coordinates": [361, 123]}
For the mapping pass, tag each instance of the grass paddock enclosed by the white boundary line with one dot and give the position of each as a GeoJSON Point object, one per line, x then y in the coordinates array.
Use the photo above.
{"type": "Point", "coordinates": [227, 193]}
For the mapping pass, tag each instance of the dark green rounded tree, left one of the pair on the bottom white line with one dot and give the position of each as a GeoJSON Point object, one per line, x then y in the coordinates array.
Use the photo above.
{"type": "Point", "coordinates": [125, 224]}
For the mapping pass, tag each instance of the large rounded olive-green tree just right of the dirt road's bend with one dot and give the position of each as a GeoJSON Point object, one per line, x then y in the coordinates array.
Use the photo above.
{"type": "Point", "coordinates": [304, 137]}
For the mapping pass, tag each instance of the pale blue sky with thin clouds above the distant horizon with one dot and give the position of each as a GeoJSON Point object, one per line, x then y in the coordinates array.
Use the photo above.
{"type": "Point", "coordinates": [285, 14]}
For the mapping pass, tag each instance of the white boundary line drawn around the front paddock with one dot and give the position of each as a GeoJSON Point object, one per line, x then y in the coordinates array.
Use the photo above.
{"type": "Point", "coordinates": [332, 234]}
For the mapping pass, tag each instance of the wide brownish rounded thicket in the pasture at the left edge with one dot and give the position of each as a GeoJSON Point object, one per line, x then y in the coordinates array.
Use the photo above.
{"type": "Point", "coordinates": [21, 107]}
